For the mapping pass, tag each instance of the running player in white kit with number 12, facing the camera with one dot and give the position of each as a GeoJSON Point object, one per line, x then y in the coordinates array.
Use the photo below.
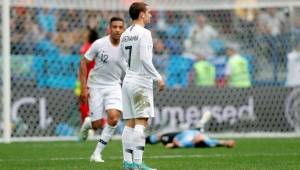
{"type": "Point", "coordinates": [102, 89]}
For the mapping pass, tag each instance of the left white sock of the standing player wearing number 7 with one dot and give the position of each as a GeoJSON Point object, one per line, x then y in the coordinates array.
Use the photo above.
{"type": "Point", "coordinates": [127, 142]}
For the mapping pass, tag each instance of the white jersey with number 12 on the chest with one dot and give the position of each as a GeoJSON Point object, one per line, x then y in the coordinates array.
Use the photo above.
{"type": "Point", "coordinates": [109, 65]}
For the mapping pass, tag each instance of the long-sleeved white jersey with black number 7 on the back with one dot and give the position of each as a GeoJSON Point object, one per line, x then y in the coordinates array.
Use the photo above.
{"type": "Point", "coordinates": [136, 46]}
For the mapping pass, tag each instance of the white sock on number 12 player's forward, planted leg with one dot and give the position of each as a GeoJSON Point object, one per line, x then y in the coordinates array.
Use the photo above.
{"type": "Point", "coordinates": [106, 135]}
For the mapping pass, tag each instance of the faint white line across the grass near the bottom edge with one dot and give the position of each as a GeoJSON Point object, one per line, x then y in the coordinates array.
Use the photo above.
{"type": "Point", "coordinates": [162, 157]}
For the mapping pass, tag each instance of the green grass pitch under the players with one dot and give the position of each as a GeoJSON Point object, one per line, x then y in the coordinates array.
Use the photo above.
{"type": "Point", "coordinates": [249, 154]}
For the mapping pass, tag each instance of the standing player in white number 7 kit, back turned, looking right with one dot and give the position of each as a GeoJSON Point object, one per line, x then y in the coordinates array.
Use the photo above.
{"type": "Point", "coordinates": [137, 91]}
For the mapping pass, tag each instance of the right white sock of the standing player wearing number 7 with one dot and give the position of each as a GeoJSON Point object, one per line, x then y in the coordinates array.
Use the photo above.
{"type": "Point", "coordinates": [139, 143]}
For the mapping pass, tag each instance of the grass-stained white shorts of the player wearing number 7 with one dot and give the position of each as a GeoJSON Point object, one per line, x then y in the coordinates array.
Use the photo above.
{"type": "Point", "coordinates": [137, 101]}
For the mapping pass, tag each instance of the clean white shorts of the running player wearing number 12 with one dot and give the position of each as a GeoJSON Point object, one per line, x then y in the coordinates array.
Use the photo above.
{"type": "Point", "coordinates": [102, 99]}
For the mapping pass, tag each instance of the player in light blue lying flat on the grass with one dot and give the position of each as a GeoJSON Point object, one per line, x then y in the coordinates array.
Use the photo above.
{"type": "Point", "coordinates": [188, 139]}
